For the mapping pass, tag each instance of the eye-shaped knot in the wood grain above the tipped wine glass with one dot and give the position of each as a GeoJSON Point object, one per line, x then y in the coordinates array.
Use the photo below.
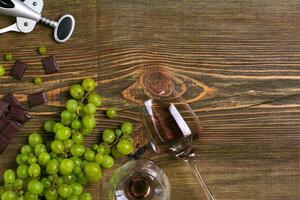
{"type": "Point", "coordinates": [155, 82]}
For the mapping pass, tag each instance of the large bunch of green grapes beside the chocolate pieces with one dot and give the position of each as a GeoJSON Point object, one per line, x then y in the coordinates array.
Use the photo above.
{"type": "Point", "coordinates": [60, 168]}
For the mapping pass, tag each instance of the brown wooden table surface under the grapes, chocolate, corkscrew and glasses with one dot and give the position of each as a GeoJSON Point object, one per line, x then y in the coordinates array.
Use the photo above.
{"type": "Point", "coordinates": [237, 64]}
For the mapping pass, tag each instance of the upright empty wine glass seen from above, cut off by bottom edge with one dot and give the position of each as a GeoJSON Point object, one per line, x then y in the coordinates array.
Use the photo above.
{"type": "Point", "coordinates": [139, 179]}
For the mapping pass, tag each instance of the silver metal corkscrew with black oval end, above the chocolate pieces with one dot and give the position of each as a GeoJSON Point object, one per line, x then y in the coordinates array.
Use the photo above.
{"type": "Point", "coordinates": [28, 13]}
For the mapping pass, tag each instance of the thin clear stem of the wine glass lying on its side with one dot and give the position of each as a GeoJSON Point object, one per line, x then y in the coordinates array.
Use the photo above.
{"type": "Point", "coordinates": [191, 161]}
